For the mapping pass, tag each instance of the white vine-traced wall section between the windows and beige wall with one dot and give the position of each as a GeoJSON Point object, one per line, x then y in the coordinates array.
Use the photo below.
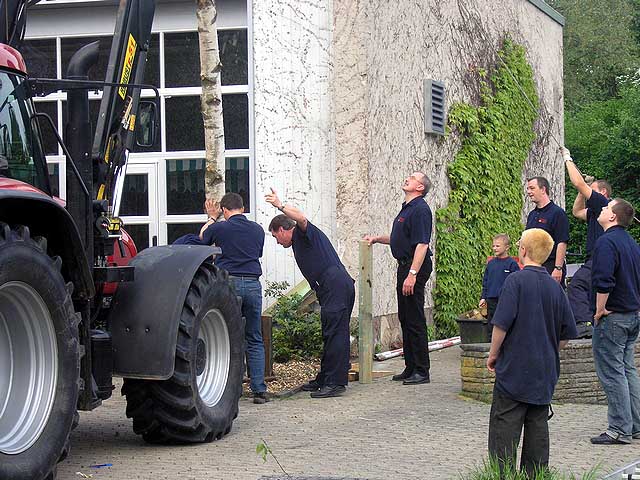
{"type": "Point", "coordinates": [294, 149]}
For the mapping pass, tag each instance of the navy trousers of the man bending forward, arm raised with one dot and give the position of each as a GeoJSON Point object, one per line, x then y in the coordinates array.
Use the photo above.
{"type": "Point", "coordinates": [336, 295]}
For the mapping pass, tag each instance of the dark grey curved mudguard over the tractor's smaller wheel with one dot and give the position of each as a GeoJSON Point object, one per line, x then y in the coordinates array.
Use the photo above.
{"type": "Point", "coordinates": [145, 313]}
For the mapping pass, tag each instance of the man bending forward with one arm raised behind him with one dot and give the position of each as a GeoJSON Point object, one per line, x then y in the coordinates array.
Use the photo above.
{"type": "Point", "coordinates": [322, 268]}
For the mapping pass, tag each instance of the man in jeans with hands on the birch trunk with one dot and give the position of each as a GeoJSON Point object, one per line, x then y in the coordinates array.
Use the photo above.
{"type": "Point", "coordinates": [241, 241]}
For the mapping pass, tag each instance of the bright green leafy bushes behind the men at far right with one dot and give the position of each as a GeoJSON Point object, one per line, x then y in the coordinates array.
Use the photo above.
{"type": "Point", "coordinates": [604, 139]}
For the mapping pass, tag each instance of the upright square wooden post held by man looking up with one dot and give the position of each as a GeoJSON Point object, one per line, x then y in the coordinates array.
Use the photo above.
{"type": "Point", "coordinates": [365, 319]}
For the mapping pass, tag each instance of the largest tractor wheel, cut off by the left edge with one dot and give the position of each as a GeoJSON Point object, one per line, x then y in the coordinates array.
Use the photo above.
{"type": "Point", "coordinates": [39, 358]}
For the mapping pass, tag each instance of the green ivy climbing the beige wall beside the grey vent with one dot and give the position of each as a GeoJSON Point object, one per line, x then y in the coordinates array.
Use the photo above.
{"type": "Point", "coordinates": [486, 188]}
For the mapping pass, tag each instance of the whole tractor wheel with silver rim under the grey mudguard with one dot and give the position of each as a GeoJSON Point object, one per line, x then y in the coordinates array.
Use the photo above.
{"type": "Point", "coordinates": [200, 401]}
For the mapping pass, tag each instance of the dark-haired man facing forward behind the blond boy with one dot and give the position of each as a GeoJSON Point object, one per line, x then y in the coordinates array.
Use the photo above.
{"type": "Point", "coordinates": [553, 220]}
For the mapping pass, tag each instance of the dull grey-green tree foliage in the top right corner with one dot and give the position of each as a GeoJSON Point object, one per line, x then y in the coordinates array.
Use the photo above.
{"type": "Point", "coordinates": [599, 48]}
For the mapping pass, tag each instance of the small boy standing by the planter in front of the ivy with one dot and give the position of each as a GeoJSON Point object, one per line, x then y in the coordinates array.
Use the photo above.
{"type": "Point", "coordinates": [496, 273]}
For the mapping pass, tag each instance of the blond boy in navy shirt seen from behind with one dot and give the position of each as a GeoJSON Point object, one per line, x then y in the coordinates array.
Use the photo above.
{"type": "Point", "coordinates": [532, 322]}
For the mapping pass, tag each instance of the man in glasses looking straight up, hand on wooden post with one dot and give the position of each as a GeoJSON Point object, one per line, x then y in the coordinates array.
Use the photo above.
{"type": "Point", "coordinates": [409, 240]}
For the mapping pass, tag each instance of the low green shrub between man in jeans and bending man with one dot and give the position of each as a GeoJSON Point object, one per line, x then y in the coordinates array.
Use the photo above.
{"type": "Point", "coordinates": [296, 334]}
